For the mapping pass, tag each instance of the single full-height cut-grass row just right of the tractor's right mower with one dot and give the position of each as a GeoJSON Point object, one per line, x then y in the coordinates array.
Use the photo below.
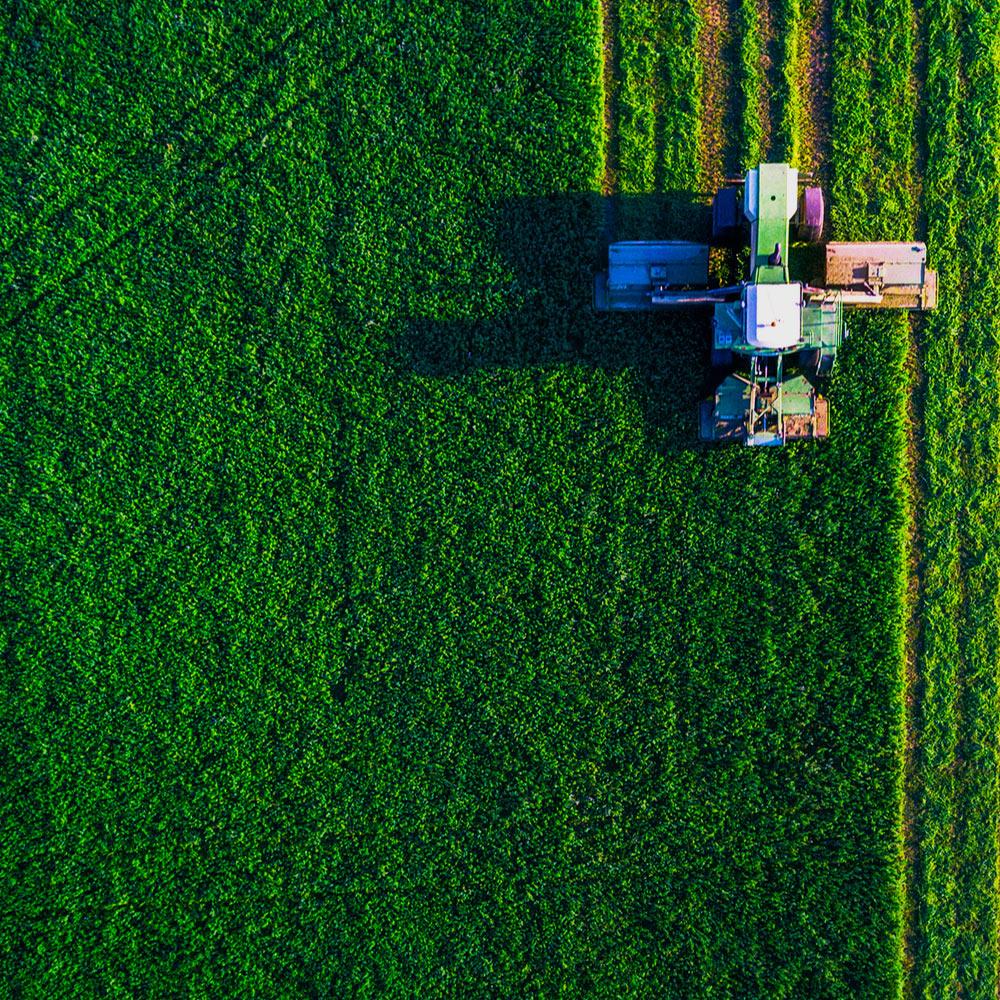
{"type": "Point", "coordinates": [935, 970]}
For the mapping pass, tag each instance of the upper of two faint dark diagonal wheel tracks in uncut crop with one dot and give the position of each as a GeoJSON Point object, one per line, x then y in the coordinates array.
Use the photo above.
{"type": "Point", "coordinates": [129, 152]}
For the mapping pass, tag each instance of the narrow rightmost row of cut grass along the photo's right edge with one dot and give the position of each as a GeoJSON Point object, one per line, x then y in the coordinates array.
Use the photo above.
{"type": "Point", "coordinates": [976, 759]}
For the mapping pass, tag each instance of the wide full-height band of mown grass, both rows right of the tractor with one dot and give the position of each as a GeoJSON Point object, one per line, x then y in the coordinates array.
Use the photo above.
{"type": "Point", "coordinates": [960, 713]}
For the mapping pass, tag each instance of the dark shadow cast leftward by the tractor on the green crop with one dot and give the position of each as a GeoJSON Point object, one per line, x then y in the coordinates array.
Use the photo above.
{"type": "Point", "coordinates": [549, 249]}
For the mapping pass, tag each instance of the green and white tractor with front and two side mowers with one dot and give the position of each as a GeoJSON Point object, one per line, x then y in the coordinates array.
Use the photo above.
{"type": "Point", "coordinates": [775, 336]}
